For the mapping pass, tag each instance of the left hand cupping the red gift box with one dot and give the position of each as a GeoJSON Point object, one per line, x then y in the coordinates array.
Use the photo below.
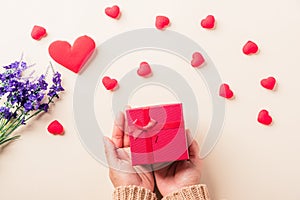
{"type": "Point", "coordinates": [121, 171]}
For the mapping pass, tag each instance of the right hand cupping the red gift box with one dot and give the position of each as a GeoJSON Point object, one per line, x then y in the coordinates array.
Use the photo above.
{"type": "Point", "coordinates": [180, 174]}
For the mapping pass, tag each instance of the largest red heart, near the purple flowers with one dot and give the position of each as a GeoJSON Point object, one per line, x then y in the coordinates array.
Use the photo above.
{"type": "Point", "coordinates": [72, 57]}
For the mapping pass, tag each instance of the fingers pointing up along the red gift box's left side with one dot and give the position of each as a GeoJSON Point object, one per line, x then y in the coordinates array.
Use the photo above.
{"type": "Point", "coordinates": [118, 133]}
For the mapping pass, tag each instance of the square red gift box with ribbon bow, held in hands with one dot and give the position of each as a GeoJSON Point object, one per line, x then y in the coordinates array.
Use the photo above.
{"type": "Point", "coordinates": [157, 134]}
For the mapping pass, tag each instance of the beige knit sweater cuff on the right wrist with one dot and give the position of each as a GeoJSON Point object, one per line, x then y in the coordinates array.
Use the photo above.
{"type": "Point", "coordinates": [194, 192]}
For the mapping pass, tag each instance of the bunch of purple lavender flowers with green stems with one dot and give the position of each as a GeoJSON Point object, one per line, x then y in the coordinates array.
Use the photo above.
{"type": "Point", "coordinates": [23, 96]}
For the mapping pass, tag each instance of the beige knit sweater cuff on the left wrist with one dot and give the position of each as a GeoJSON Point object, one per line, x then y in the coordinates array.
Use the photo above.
{"type": "Point", "coordinates": [133, 192]}
